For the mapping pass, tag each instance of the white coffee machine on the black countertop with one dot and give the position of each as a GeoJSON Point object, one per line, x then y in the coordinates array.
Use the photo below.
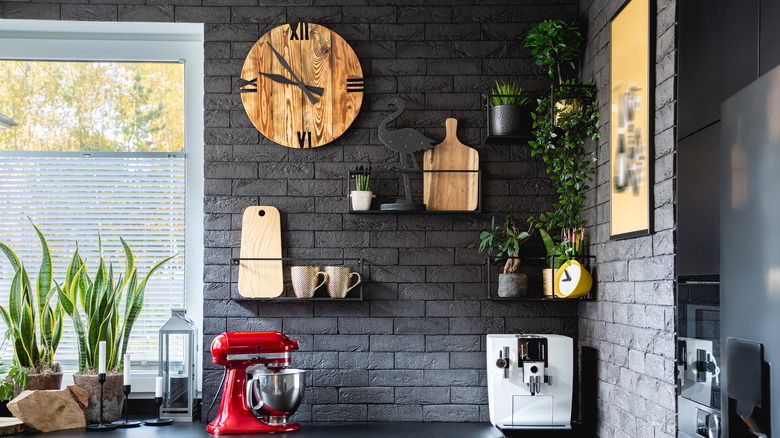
{"type": "Point", "coordinates": [530, 381]}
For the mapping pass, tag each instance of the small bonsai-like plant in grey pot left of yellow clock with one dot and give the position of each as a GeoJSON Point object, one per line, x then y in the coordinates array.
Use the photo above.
{"type": "Point", "coordinates": [507, 240]}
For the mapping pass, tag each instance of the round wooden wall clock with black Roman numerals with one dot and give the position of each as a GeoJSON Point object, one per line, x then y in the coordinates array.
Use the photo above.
{"type": "Point", "coordinates": [302, 85]}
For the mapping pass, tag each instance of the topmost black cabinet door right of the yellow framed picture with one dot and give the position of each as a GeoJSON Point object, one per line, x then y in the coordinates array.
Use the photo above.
{"type": "Point", "coordinates": [718, 55]}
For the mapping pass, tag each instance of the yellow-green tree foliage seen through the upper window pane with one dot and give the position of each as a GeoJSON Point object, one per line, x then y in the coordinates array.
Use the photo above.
{"type": "Point", "coordinates": [92, 106]}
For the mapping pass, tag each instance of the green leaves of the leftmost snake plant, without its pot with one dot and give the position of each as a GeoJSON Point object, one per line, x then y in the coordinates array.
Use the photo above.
{"type": "Point", "coordinates": [34, 326]}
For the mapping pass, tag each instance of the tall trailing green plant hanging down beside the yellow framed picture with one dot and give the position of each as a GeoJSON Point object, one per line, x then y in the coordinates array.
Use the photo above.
{"type": "Point", "coordinates": [563, 124]}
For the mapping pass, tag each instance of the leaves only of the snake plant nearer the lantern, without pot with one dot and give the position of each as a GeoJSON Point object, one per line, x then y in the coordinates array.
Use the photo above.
{"type": "Point", "coordinates": [99, 298]}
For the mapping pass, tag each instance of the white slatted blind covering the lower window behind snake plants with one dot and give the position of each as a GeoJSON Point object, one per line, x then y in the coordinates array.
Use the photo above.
{"type": "Point", "coordinates": [73, 197]}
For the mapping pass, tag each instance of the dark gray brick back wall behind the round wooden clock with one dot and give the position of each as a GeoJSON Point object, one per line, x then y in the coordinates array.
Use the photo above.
{"type": "Point", "coordinates": [414, 350]}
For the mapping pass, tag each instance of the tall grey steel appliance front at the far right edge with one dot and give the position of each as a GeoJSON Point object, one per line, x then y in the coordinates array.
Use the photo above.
{"type": "Point", "coordinates": [750, 258]}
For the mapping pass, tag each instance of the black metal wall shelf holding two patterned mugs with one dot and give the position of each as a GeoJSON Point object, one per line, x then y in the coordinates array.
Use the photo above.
{"type": "Point", "coordinates": [288, 294]}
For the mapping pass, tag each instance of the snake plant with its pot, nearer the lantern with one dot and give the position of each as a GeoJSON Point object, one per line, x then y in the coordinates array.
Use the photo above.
{"type": "Point", "coordinates": [107, 314]}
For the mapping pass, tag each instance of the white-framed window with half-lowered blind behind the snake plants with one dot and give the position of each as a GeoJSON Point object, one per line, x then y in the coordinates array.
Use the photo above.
{"type": "Point", "coordinates": [109, 140]}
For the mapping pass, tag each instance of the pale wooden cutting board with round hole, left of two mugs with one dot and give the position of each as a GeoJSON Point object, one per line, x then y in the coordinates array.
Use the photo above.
{"type": "Point", "coordinates": [261, 237]}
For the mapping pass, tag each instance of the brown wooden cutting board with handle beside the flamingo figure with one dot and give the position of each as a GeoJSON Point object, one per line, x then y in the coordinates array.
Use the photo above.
{"type": "Point", "coordinates": [451, 190]}
